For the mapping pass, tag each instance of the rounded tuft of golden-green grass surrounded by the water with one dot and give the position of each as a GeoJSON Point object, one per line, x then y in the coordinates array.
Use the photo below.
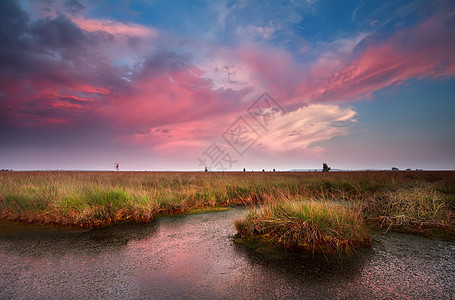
{"type": "Point", "coordinates": [315, 226]}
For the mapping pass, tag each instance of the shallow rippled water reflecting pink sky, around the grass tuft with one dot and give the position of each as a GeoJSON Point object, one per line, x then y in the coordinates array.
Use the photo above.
{"type": "Point", "coordinates": [195, 257]}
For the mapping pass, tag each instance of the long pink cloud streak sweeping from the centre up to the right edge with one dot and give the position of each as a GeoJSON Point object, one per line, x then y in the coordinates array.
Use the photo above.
{"type": "Point", "coordinates": [354, 69]}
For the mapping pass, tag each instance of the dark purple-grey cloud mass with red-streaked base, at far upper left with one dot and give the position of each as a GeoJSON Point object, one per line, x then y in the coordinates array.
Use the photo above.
{"type": "Point", "coordinates": [51, 71]}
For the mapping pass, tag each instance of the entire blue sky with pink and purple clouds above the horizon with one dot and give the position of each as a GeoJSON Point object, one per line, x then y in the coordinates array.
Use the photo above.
{"type": "Point", "coordinates": [227, 85]}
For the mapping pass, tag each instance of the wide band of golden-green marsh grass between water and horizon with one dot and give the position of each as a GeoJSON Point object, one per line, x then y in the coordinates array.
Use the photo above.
{"type": "Point", "coordinates": [102, 198]}
